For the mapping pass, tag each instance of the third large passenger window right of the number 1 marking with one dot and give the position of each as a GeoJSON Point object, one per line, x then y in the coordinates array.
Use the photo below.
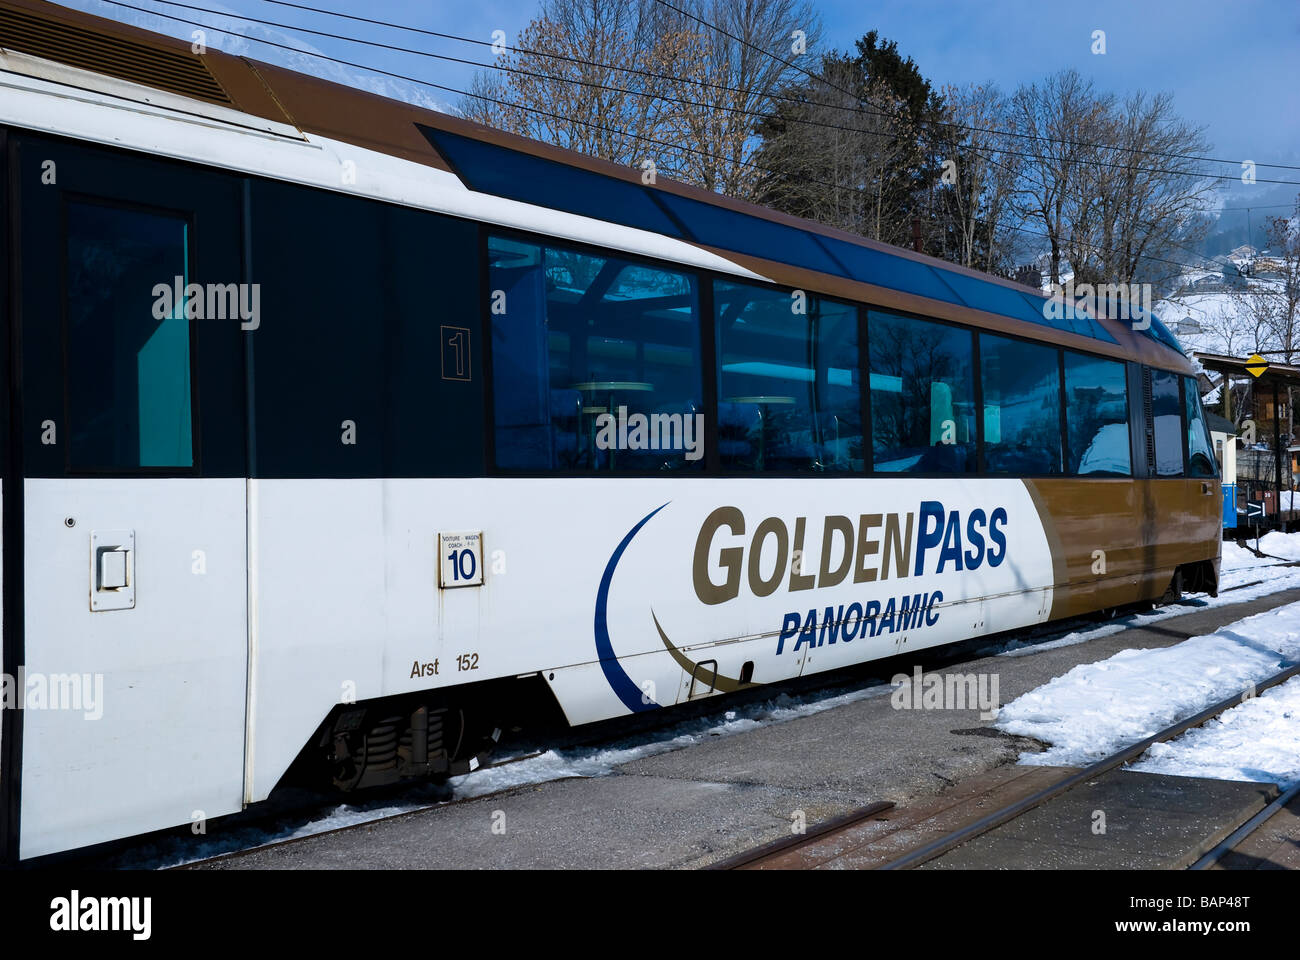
{"type": "Point", "coordinates": [922, 396]}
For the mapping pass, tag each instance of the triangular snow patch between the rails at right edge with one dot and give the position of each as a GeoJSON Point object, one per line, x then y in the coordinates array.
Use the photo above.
{"type": "Point", "coordinates": [1259, 741]}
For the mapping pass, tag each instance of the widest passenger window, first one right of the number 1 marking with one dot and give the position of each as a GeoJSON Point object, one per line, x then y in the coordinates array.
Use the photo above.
{"type": "Point", "coordinates": [596, 362]}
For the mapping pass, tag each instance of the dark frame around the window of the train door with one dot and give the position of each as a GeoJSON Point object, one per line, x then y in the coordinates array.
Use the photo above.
{"type": "Point", "coordinates": [196, 468]}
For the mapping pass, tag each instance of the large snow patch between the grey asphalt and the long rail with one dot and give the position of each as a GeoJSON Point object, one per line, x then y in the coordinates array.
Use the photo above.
{"type": "Point", "coordinates": [1099, 708]}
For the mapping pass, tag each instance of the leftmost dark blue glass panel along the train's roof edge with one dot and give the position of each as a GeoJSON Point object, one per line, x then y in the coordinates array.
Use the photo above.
{"type": "Point", "coordinates": [517, 176]}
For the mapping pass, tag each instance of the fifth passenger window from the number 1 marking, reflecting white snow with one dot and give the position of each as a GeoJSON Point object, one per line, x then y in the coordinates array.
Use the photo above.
{"type": "Point", "coordinates": [1097, 413]}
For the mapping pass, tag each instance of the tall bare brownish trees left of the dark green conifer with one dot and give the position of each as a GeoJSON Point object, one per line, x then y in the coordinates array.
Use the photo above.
{"type": "Point", "coordinates": [634, 81]}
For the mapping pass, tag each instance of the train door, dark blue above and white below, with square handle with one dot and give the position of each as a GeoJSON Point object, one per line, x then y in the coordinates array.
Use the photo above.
{"type": "Point", "coordinates": [135, 565]}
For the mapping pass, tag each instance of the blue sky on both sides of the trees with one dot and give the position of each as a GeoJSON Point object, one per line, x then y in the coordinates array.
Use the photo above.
{"type": "Point", "coordinates": [1233, 68]}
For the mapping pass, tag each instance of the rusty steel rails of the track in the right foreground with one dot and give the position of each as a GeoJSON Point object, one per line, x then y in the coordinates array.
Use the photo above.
{"type": "Point", "coordinates": [798, 853]}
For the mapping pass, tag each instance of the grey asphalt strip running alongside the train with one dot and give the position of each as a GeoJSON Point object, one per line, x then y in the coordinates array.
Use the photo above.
{"type": "Point", "coordinates": [710, 801]}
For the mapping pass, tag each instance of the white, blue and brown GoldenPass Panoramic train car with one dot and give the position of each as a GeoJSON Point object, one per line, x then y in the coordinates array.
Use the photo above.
{"type": "Point", "coordinates": [345, 435]}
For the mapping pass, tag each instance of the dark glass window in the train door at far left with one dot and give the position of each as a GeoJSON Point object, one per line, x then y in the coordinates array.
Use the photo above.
{"type": "Point", "coordinates": [128, 351]}
